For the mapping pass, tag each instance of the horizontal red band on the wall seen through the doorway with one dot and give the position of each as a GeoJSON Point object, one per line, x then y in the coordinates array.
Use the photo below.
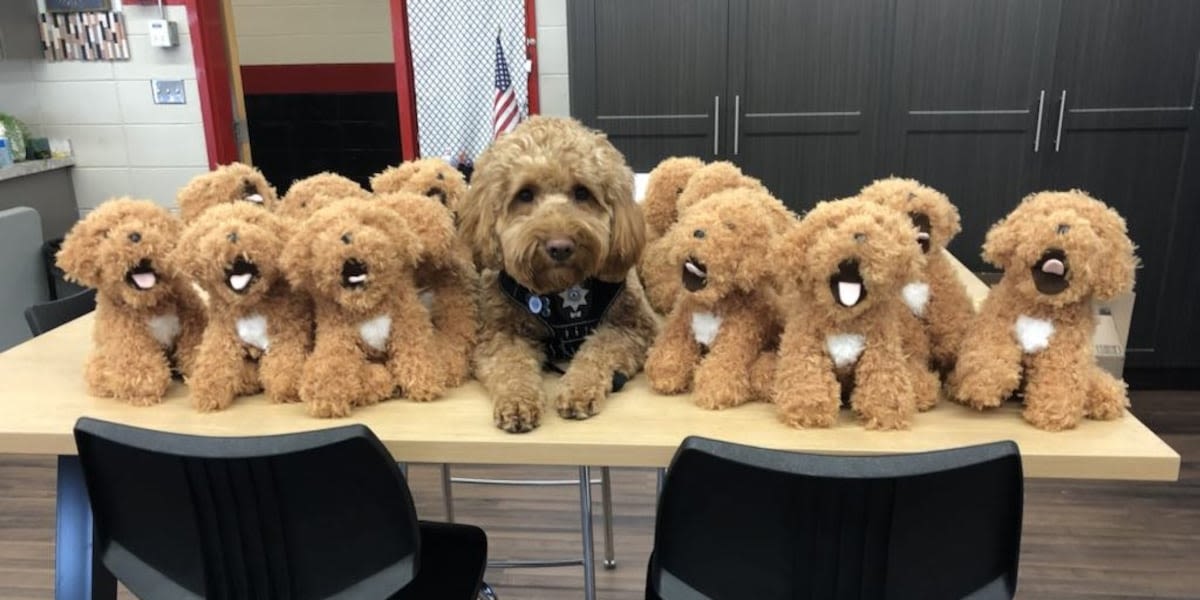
{"type": "Point", "coordinates": [332, 79]}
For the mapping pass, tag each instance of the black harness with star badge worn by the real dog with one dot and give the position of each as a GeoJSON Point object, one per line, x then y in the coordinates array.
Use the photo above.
{"type": "Point", "coordinates": [569, 316]}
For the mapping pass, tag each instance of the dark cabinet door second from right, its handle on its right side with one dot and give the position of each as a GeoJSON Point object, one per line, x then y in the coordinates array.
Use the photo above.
{"type": "Point", "coordinates": [968, 89]}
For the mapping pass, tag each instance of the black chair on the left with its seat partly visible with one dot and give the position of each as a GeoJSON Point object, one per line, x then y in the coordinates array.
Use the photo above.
{"type": "Point", "coordinates": [323, 514]}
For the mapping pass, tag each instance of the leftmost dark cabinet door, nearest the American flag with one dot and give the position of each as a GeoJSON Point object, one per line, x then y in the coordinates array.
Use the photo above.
{"type": "Point", "coordinates": [651, 74]}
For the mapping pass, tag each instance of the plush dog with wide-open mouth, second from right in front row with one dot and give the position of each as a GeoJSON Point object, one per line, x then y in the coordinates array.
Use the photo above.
{"type": "Point", "coordinates": [848, 261]}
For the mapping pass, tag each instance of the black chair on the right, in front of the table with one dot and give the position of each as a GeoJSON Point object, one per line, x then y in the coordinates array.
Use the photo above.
{"type": "Point", "coordinates": [742, 523]}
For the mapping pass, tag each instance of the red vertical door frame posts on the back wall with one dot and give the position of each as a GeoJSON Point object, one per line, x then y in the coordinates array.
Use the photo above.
{"type": "Point", "coordinates": [215, 89]}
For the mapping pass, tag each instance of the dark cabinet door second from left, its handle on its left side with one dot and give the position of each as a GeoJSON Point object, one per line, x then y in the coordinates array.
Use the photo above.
{"type": "Point", "coordinates": [807, 95]}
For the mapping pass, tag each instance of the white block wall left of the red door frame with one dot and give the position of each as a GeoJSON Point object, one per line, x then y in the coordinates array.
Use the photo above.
{"type": "Point", "coordinates": [124, 143]}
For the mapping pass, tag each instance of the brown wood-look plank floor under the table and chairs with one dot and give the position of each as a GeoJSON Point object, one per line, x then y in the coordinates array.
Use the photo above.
{"type": "Point", "coordinates": [1112, 541]}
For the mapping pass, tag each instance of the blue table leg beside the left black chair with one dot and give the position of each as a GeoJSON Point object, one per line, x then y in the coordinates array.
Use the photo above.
{"type": "Point", "coordinates": [79, 573]}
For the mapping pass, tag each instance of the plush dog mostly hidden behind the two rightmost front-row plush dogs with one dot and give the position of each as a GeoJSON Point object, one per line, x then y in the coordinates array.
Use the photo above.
{"type": "Point", "coordinates": [937, 298]}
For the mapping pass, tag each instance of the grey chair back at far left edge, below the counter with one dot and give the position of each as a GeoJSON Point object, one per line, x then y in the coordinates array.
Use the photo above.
{"type": "Point", "coordinates": [21, 271]}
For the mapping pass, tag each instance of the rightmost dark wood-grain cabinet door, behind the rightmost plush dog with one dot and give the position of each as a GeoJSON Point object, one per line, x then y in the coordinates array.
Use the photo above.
{"type": "Point", "coordinates": [1126, 133]}
